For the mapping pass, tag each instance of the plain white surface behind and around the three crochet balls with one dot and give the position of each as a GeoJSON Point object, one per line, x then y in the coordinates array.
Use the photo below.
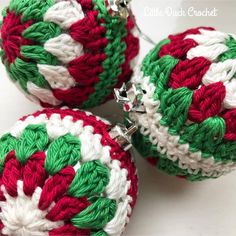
{"type": "Point", "coordinates": [167, 206]}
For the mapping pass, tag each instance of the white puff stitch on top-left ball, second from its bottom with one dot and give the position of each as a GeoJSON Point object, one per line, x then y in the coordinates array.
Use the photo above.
{"type": "Point", "coordinates": [58, 77]}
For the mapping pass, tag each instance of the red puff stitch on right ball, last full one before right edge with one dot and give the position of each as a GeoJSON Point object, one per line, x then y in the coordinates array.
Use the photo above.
{"type": "Point", "coordinates": [207, 102]}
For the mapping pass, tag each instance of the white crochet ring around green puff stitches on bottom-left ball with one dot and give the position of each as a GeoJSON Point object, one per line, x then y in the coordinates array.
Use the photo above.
{"type": "Point", "coordinates": [91, 149]}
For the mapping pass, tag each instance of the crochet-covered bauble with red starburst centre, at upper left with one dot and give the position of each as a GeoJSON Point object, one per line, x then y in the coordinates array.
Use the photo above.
{"type": "Point", "coordinates": [71, 52]}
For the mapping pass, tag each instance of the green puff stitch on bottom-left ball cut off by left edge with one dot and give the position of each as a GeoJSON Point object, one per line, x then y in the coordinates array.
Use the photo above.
{"type": "Point", "coordinates": [7, 144]}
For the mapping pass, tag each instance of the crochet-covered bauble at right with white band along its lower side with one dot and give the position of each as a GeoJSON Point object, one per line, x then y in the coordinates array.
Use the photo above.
{"type": "Point", "coordinates": [188, 127]}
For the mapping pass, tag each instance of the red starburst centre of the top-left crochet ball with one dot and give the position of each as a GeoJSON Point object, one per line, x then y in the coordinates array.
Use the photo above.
{"type": "Point", "coordinates": [11, 34]}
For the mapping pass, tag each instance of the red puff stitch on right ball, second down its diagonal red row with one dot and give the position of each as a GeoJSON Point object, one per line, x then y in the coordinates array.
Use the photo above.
{"type": "Point", "coordinates": [189, 73]}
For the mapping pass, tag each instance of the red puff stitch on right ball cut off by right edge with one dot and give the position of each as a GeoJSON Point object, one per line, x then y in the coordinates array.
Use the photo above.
{"type": "Point", "coordinates": [230, 121]}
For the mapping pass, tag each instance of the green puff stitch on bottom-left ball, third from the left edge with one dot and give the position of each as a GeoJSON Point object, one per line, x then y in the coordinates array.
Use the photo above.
{"type": "Point", "coordinates": [62, 152]}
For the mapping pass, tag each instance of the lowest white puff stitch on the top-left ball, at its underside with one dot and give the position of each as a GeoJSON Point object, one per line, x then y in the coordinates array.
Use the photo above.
{"type": "Point", "coordinates": [44, 95]}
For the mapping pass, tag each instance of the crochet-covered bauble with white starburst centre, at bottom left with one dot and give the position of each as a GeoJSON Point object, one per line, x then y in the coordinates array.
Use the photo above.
{"type": "Point", "coordinates": [62, 174]}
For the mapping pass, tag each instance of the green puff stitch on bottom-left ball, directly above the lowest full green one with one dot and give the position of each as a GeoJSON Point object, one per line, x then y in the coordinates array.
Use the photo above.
{"type": "Point", "coordinates": [91, 179]}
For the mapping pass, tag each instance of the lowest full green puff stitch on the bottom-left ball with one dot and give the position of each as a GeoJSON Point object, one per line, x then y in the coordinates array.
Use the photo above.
{"type": "Point", "coordinates": [97, 215]}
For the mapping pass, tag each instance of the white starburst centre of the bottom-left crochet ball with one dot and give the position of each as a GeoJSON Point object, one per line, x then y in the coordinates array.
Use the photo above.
{"type": "Point", "coordinates": [21, 215]}
